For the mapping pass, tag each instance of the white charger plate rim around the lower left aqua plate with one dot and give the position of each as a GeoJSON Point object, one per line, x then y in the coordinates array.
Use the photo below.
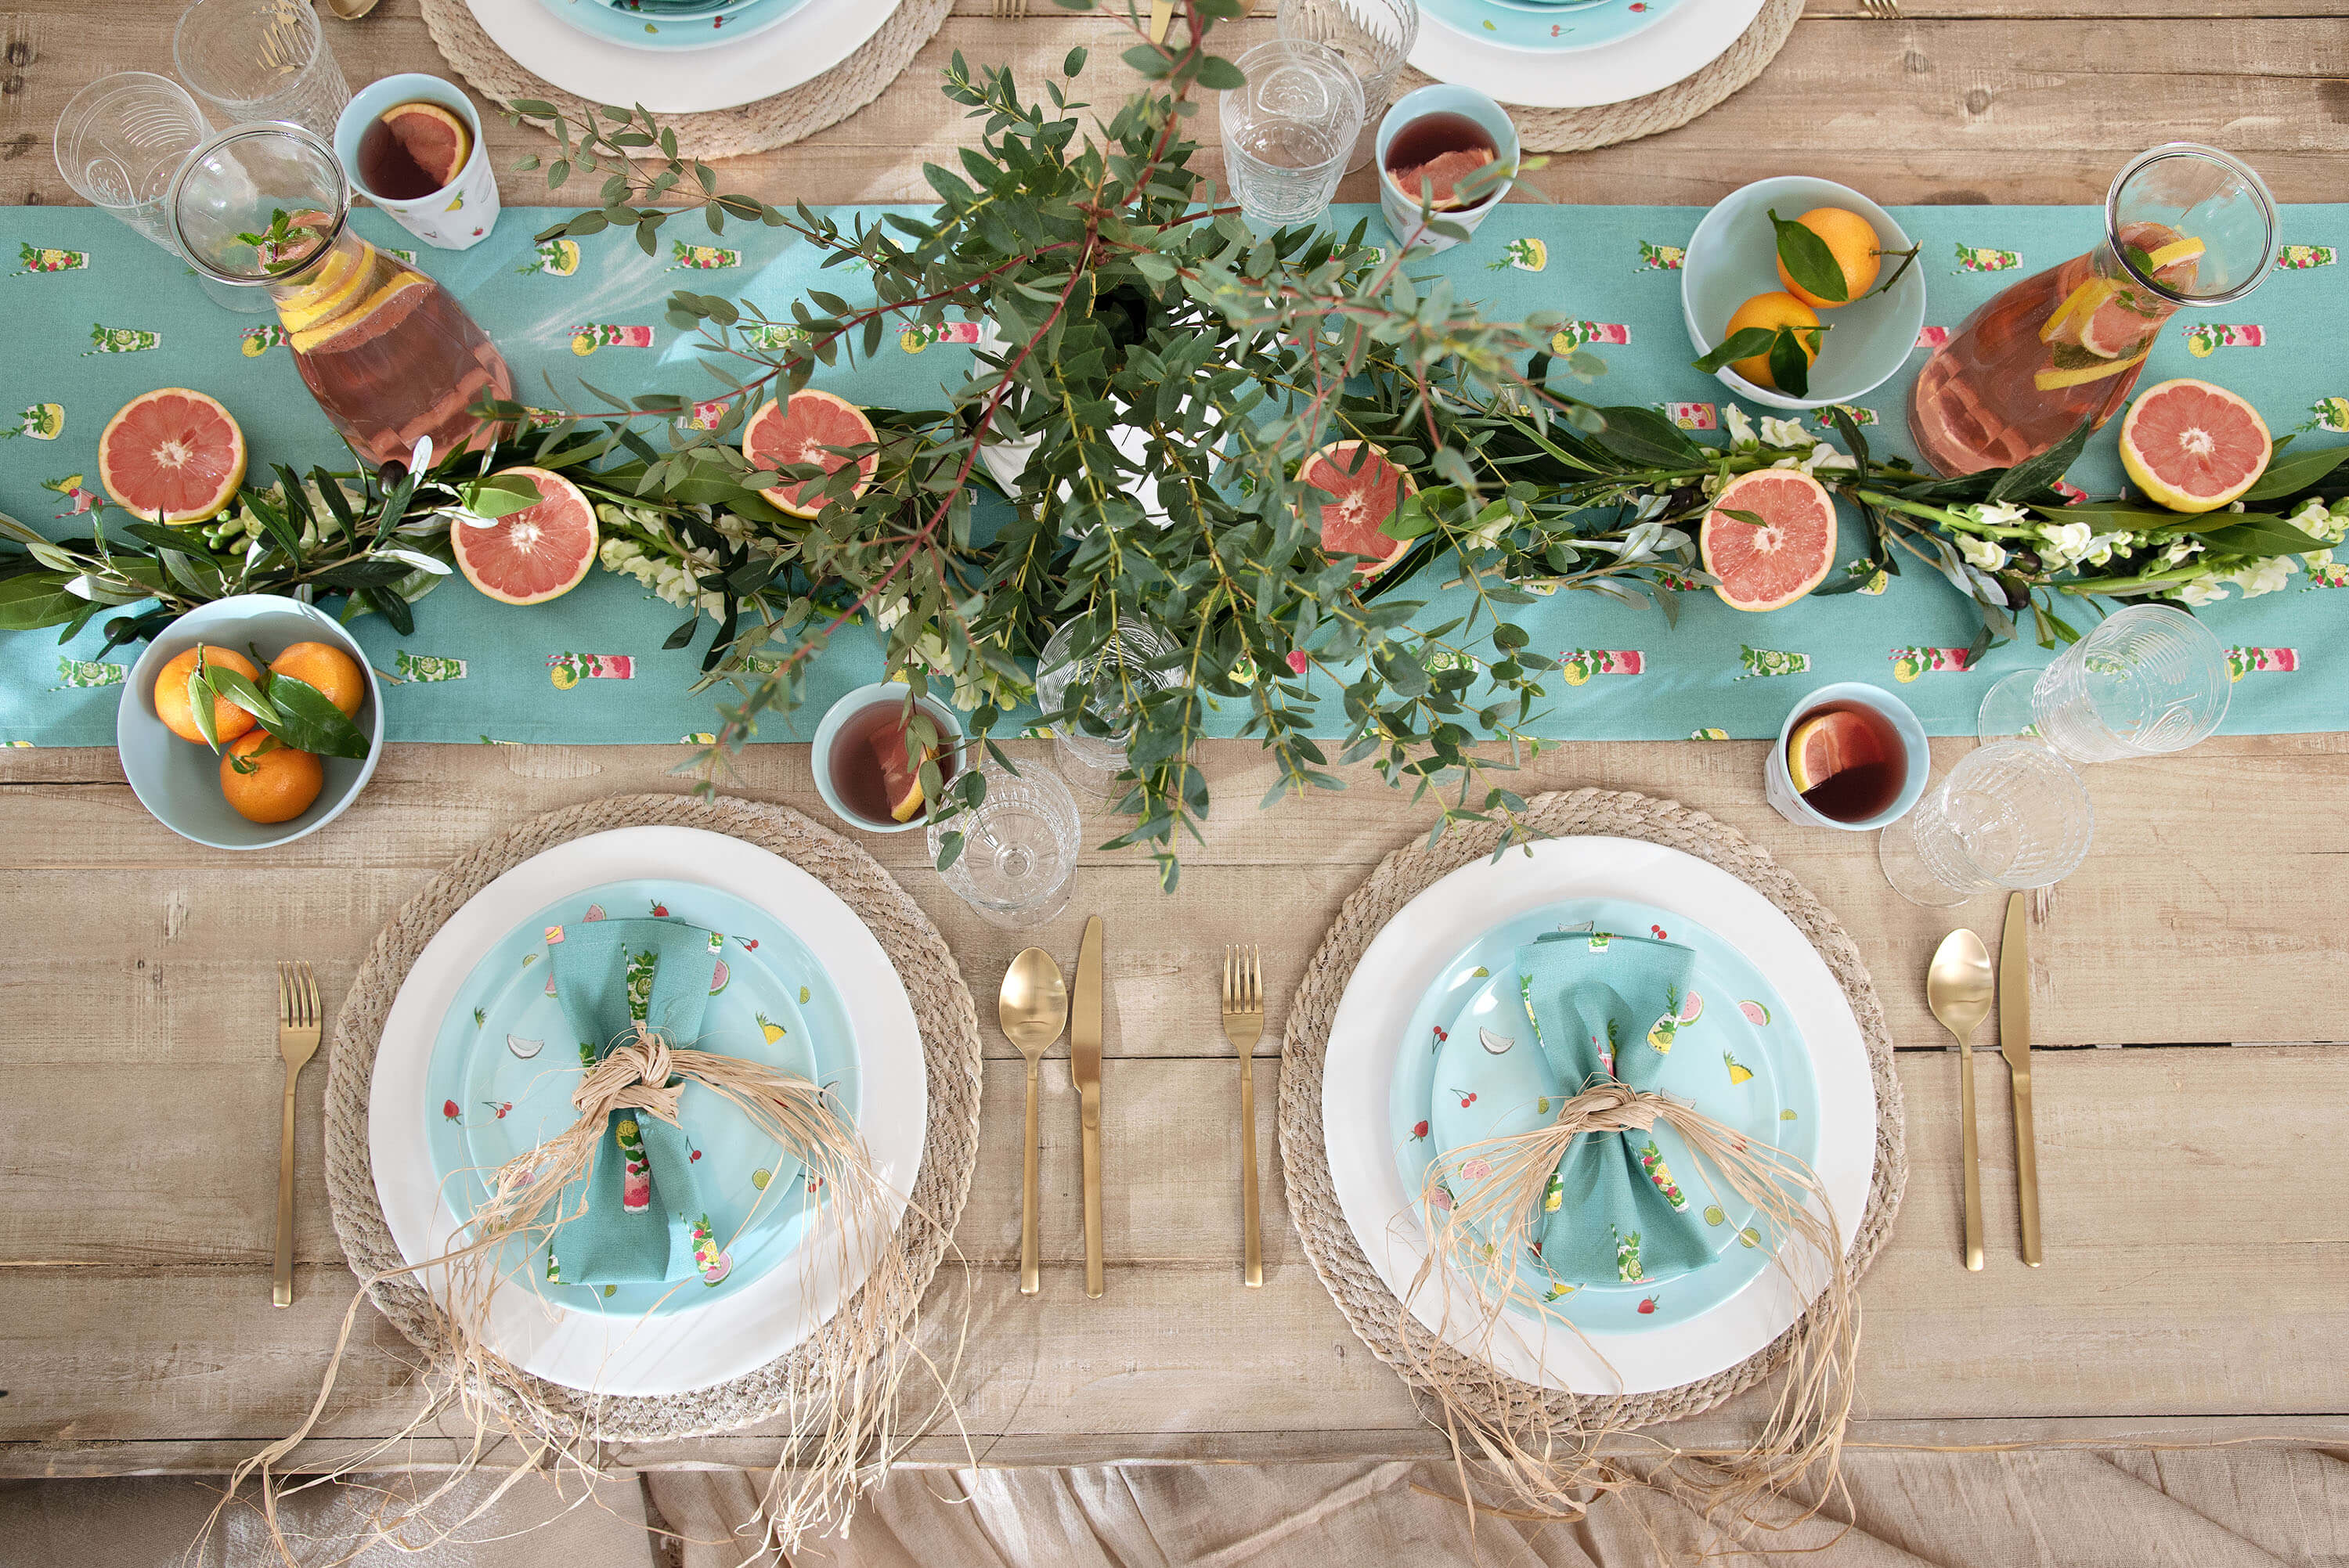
{"type": "Point", "coordinates": [725, 1337]}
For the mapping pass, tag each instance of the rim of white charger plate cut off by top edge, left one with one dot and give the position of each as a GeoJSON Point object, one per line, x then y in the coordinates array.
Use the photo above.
{"type": "Point", "coordinates": [816, 39]}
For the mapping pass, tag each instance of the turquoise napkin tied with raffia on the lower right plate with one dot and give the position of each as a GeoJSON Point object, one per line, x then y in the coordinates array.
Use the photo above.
{"type": "Point", "coordinates": [1601, 1008]}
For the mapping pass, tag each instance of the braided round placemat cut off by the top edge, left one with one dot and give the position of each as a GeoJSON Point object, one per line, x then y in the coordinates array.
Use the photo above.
{"type": "Point", "coordinates": [722, 133]}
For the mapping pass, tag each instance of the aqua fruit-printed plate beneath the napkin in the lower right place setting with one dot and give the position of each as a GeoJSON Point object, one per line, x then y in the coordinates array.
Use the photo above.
{"type": "Point", "coordinates": [1735, 1060]}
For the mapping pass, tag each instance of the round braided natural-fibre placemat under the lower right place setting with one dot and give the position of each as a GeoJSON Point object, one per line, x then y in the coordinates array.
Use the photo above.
{"type": "Point", "coordinates": [1366, 1302]}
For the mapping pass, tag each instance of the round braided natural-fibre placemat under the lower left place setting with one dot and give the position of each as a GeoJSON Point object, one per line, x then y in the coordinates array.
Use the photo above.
{"type": "Point", "coordinates": [950, 1046]}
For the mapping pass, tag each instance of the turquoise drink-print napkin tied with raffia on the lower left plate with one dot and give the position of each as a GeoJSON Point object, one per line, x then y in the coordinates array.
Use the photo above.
{"type": "Point", "coordinates": [612, 975]}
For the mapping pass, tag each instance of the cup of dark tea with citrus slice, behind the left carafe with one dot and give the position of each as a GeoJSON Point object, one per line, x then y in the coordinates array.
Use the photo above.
{"type": "Point", "coordinates": [412, 144]}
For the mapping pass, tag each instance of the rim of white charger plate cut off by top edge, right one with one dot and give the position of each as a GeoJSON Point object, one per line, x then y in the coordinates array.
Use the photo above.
{"type": "Point", "coordinates": [1674, 50]}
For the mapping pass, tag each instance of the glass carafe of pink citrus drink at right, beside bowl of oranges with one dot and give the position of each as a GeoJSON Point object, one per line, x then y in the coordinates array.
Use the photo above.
{"type": "Point", "coordinates": [2183, 227]}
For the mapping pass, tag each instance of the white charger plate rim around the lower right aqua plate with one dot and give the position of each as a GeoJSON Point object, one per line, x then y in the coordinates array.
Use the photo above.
{"type": "Point", "coordinates": [1418, 947]}
